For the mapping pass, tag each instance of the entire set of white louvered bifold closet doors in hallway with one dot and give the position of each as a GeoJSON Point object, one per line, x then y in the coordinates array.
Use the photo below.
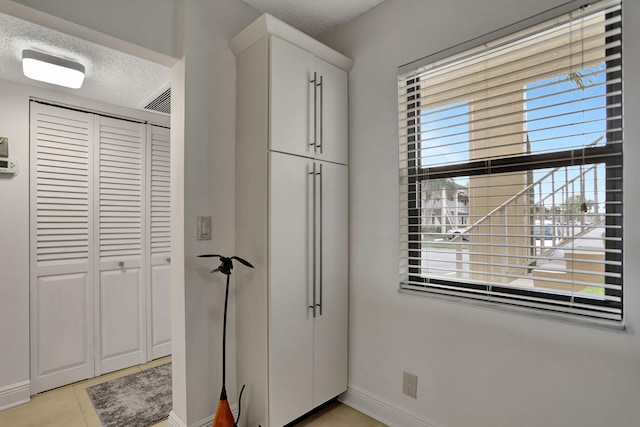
{"type": "Point", "coordinates": [99, 245]}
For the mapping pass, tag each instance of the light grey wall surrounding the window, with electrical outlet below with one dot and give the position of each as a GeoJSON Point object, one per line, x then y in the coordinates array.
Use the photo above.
{"type": "Point", "coordinates": [476, 366]}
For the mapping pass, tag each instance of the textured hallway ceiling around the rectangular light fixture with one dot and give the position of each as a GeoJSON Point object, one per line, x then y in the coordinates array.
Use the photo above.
{"type": "Point", "coordinates": [111, 76]}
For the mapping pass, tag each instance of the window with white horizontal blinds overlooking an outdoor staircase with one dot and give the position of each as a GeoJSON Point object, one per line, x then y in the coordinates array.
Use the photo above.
{"type": "Point", "coordinates": [511, 167]}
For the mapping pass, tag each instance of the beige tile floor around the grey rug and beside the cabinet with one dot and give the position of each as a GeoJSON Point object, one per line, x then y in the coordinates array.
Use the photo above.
{"type": "Point", "coordinates": [70, 406]}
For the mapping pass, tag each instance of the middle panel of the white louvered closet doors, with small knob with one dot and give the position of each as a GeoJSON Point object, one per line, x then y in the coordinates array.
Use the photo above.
{"type": "Point", "coordinates": [121, 324]}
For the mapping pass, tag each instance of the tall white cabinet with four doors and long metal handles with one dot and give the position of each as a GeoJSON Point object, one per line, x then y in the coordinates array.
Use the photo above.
{"type": "Point", "coordinates": [291, 222]}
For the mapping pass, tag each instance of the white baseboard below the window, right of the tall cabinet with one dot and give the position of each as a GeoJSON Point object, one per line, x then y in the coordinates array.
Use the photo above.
{"type": "Point", "coordinates": [381, 410]}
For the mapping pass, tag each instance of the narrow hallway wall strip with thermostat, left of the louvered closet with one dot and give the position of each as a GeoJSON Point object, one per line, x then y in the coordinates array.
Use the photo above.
{"type": "Point", "coordinates": [14, 248]}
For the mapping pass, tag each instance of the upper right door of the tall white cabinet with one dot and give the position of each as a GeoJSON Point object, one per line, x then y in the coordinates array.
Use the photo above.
{"type": "Point", "coordinates": [331, 112]}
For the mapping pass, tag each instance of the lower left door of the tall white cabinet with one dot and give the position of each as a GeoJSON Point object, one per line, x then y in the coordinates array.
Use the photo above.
{"type": "Point", "coordinates": [290, 291]}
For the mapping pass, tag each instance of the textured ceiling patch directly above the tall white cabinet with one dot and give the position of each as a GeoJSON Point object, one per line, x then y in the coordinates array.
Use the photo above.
{"type": "Point", "coordinates": [314, 17]}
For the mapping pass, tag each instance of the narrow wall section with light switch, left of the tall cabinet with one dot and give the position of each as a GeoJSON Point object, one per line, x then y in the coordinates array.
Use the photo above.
{"type": "Point", "coordinates": [209, 190]}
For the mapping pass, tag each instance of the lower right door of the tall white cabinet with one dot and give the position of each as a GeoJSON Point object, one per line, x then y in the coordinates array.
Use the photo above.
{"type": "Point", "coordinates": [331, 324]}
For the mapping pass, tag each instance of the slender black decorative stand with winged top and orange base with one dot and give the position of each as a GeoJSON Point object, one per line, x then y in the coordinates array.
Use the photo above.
{"type": "Point", "coordinates": [224, 417]}
